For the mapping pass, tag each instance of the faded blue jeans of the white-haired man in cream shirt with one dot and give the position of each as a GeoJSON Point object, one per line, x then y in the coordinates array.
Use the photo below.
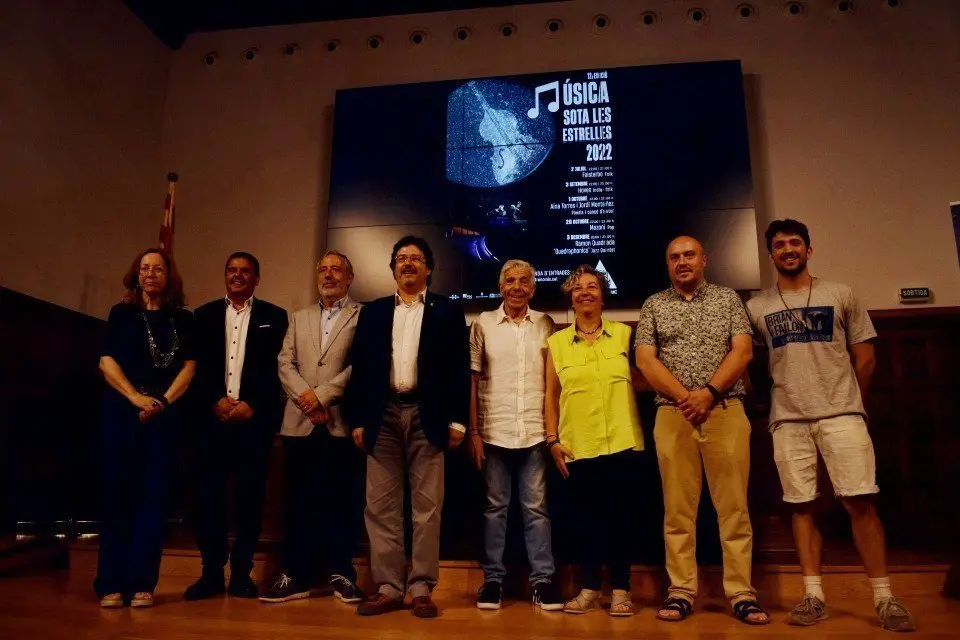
{"type": "Point", "coordinates": [500, 468]}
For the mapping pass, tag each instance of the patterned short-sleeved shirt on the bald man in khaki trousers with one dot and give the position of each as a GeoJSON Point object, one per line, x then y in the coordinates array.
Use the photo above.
{"type": "Point", "coordinates": [693, 336]}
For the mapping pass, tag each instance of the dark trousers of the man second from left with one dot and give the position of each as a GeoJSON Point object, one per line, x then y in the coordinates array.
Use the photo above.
{"type": "Point", "coordinates": [237, 453]}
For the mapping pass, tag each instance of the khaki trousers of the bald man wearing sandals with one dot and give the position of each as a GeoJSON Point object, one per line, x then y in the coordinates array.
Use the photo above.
{"type": "Point", "coordinates": [723, 445]}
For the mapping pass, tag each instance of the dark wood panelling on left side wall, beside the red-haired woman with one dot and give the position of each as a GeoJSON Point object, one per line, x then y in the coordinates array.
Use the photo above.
{"type": "Point", "coordinates": [49, 412]}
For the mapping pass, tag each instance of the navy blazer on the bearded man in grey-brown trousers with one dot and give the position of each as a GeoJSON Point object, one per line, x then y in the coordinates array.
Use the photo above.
{"type": "Point", "coordinates": [443, 369]}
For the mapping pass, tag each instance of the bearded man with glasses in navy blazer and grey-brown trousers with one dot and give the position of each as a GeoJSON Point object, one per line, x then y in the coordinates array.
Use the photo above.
{"type": "Point", "coordinates": [408, 400]}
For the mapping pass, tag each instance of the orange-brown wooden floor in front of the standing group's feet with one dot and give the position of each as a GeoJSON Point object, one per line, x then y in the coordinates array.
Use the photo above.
{"type": "Point", "coordinates": [61, 605]}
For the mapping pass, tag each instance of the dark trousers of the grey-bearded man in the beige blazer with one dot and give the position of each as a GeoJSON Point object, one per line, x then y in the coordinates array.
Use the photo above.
{"type": "Point", "coordinates": [325, 499]}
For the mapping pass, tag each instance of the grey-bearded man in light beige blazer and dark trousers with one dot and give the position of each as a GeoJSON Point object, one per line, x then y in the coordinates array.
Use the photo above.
{"type": "Point", "coordinates": [324, 468]}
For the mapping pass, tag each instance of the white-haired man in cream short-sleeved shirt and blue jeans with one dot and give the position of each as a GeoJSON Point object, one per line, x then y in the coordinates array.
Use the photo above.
{"type": "Point", "coordinates": [507, 359]}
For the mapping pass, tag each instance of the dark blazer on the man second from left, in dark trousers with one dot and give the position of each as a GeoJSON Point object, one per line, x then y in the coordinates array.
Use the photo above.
{"type": "Point", "coordinates": [259, 380]}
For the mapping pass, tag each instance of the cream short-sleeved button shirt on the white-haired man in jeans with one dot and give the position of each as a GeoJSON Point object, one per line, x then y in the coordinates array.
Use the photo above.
{"type": "Point", "coordinates": [511, 361]}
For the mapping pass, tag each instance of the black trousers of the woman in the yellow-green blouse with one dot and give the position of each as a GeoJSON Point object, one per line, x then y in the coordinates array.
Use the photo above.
{"type": "Point", "coordinates": [600, 496]}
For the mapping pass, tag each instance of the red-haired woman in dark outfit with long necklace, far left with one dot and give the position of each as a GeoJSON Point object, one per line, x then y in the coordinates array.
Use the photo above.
{"type": "Point", "coordinates": [148, 361]}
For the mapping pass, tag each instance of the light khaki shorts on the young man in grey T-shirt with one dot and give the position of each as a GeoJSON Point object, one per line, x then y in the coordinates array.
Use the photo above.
{"type": "Point", "coordinates": [847, 450]}
